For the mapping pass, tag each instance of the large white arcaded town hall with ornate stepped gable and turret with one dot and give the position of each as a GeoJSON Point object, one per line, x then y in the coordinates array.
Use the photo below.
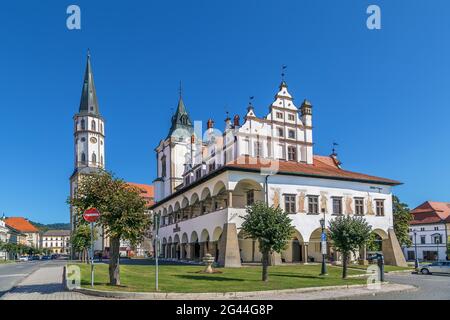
{"type": "Point", "coordinates": [205, 181]}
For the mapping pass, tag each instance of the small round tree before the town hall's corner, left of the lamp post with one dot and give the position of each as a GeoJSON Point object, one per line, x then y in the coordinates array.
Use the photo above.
{"type": "Point", "coordinates": [271, 227]}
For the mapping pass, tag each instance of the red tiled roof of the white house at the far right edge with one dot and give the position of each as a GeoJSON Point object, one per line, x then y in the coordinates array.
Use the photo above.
{"type": "Point", "coordinates": [431, 212]}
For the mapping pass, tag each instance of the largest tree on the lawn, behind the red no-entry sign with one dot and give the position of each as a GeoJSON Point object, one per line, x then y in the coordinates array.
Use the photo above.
{"type": "Point", "coordinates": [122, 211]}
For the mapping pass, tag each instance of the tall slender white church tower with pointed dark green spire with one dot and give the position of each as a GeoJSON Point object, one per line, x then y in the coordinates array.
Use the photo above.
{"type": "Point", "coordinates": [89, 138]}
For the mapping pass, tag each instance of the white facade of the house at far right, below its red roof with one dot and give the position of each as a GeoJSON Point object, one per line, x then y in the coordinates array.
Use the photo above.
{"type": "Point", "coordinates": [430, 241]}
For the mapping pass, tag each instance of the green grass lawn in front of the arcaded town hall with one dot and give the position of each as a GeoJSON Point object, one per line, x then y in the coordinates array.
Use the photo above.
{"type": "Point", "coordinates": [177, 278]}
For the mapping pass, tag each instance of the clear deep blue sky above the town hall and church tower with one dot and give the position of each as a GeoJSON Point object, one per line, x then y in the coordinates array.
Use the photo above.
{"type": "Point", "coordinates": [383, 95]}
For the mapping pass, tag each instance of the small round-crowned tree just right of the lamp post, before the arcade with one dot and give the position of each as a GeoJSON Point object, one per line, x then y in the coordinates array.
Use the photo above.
{"type": "Point", "coordinates": [348, 235]}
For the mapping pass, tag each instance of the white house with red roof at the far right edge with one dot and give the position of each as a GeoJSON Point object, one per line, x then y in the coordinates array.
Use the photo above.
{"type": "Point", "coordinates": [429, 232]}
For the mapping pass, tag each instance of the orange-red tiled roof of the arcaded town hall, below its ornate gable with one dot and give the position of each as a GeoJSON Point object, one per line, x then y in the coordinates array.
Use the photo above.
{"type": "Point", "coordinates": [322, 167]}
